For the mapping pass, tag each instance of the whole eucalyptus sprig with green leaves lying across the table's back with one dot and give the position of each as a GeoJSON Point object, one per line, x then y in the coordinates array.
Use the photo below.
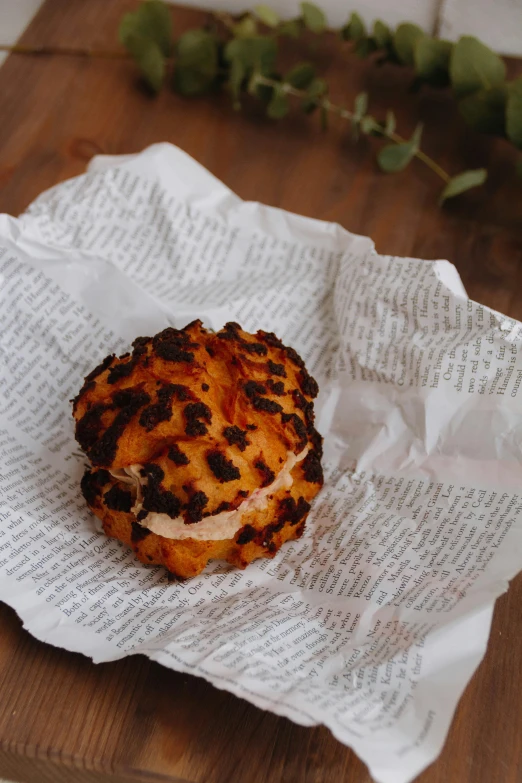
{"type": "Point", "coordinates": [239, 54]}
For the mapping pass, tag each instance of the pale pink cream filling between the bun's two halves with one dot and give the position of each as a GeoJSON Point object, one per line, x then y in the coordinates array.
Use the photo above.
{"type": "Point", "coordinates": [216, 527]}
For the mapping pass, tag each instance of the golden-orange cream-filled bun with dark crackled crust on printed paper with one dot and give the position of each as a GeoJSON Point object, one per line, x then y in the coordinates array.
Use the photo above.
{"type": "Point", "coordinates": [202, 446]}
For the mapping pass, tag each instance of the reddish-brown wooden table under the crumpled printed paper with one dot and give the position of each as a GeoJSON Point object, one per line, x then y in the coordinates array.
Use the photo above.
{"type": "Point", "coordinates": [64, 719]}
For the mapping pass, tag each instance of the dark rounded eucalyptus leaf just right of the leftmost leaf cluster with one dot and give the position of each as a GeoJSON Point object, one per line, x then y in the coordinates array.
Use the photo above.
{"type": "Point", "coordinates": [196, 62]}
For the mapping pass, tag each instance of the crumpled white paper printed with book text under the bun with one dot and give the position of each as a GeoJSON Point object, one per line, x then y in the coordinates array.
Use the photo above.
{"type": "Point", "coordinates": [374, 621]}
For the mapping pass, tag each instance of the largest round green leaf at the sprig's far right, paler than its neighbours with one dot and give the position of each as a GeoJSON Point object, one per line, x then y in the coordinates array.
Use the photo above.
{"type": "Point", "coordinates": [473, 66]}
